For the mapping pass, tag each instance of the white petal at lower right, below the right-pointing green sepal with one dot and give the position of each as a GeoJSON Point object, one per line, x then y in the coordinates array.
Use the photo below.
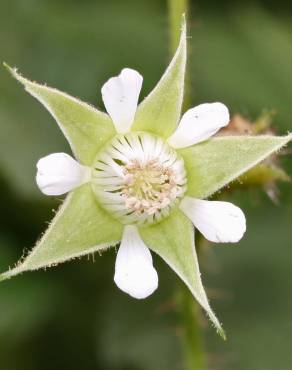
{"type": "Point", "coordinates": [219, 222]}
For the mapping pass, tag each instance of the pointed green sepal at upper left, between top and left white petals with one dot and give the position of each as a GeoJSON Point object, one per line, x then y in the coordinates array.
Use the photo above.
{"type": "Point", "coordinates": [86, 128]}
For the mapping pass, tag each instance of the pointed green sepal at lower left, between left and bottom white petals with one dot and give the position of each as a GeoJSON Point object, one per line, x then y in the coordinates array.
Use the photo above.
{"type": "Point", "coordinates": [79, 228]}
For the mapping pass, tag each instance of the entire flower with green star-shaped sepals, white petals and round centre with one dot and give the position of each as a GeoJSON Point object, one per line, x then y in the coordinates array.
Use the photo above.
{"type": "Point", "coordinates": [140, 178]}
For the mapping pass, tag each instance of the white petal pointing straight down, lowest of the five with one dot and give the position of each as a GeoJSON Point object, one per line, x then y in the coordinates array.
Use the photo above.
{"type": "Point", "coordinates": [134, 271]}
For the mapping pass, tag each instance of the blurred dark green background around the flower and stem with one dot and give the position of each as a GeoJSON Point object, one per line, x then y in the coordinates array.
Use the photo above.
{"type": "Point", "coordinates": [73, 316]}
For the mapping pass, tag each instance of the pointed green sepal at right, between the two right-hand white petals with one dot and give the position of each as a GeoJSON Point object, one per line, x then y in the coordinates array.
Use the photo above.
{"type": "Point", "coordinates": [214, 163]}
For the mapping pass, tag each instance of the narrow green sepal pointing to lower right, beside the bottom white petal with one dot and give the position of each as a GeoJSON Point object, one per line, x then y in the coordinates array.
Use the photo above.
{"type": "Point", "coordinates": [173, 240]}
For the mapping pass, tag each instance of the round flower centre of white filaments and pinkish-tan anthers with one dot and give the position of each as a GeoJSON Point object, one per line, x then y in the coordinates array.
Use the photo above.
{"type": "Point", "coordinates": [138, 178]}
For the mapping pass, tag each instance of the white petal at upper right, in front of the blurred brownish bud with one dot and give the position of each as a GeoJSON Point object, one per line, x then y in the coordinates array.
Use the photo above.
{"type": "Point", "coordinates": [199, 124]}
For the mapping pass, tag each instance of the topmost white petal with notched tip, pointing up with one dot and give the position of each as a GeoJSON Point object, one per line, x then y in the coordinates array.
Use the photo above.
{"type": "Point", "coordinates": [120, 96]}
